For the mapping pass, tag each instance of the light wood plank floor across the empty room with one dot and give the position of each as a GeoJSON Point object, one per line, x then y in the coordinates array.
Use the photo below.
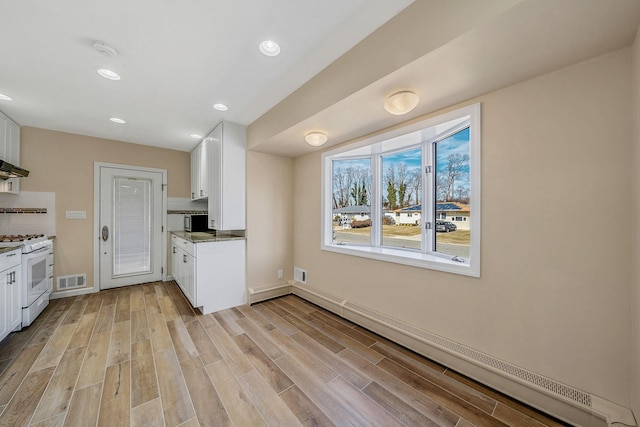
{"type": "Point", "coordinates": [141, 356]}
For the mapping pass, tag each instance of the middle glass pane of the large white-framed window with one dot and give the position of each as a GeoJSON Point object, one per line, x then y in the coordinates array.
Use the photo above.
{"type": "Point", "coordinates": [402, 199]}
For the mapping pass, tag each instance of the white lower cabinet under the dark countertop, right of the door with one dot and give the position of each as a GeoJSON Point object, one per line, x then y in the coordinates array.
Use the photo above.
{"type": "Point", "coordinates": [210, 274]}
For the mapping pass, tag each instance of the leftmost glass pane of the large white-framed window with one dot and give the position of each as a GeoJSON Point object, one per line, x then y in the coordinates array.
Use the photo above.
{"type": "Point", "coordinates": [352, 201]}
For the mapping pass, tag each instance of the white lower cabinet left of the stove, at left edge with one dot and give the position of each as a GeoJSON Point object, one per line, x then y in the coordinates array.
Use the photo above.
{"type": "Point", "coordinates": [10, 292]}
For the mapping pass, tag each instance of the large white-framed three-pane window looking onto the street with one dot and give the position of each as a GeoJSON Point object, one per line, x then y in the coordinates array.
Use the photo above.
{"type": "Point", "coordinates": [409, 196]}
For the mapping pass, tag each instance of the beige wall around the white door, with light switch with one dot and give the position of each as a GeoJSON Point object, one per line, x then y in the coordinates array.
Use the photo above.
{"type": "Point", "coordinates": [63, 163]}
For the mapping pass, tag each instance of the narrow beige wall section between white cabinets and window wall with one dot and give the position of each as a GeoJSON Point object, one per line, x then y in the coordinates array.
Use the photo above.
{"type": "Point", "coordinates": [269, 218]}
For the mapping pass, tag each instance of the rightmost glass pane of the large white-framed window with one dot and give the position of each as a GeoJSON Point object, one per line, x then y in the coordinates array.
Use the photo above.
{"type": "Point", "coordinates": [453, 227]}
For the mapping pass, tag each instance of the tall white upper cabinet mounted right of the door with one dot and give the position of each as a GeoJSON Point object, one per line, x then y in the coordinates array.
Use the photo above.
{"type": "Point", "coordinates": [227, 177]}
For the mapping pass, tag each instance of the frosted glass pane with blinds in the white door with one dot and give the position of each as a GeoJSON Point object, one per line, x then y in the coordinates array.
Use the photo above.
{"type": "Point", "coordinates": [131, 226]}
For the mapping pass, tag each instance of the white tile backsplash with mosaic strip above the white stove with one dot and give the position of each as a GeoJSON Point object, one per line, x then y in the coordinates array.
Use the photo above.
{"type": "Point", "coordinates": [29, 212]}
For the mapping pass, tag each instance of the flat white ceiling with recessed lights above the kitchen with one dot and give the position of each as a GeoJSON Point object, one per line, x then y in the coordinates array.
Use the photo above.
{"type": "Point", "coordinates": [176, 60]}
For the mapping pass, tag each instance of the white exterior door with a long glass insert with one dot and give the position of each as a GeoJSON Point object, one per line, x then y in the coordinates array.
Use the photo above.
{"type": "Point", "coordinates": [130, 225]}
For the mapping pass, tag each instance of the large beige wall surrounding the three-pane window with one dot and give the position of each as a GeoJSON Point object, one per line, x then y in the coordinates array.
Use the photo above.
{"type": "Point", "coordinates": [554, 291]}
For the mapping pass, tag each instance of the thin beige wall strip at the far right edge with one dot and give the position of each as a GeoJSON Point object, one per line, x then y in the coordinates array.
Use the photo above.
{"type": "Point", "coordinates": [636, 226]}
